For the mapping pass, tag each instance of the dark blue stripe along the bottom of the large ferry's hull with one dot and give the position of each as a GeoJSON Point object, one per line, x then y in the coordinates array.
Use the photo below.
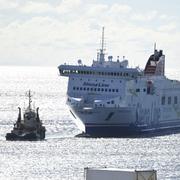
{"type": "Point", "coordinates": [119, 131]}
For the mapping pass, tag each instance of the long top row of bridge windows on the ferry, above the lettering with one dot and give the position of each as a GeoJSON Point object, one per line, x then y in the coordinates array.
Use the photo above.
{"type": "Point", "coordinates": [97, 73]}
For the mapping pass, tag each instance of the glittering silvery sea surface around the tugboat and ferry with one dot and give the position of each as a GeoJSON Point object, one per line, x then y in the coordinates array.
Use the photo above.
{"type": "Point", "coordinates": [62, 156]}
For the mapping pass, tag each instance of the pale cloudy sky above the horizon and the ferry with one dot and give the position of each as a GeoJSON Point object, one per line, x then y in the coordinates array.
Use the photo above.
{"type": "Point", "coordinates": [54, 32]}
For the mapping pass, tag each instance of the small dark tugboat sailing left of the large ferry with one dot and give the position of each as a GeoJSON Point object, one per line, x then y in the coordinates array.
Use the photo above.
{"type": "Point", "coordinates": [28, 128]}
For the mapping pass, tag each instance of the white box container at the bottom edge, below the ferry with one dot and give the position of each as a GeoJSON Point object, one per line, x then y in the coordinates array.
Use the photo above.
{"type": "Point", "coordinates": [119, 174]}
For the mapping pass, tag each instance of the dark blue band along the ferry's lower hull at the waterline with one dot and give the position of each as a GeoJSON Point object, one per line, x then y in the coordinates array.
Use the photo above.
{"type": "Point", "coordinates": [117, 130]}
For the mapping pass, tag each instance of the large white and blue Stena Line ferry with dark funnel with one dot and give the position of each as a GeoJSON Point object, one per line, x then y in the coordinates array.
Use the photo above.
{"type": "Point", "coordinates": [109, 99]}
